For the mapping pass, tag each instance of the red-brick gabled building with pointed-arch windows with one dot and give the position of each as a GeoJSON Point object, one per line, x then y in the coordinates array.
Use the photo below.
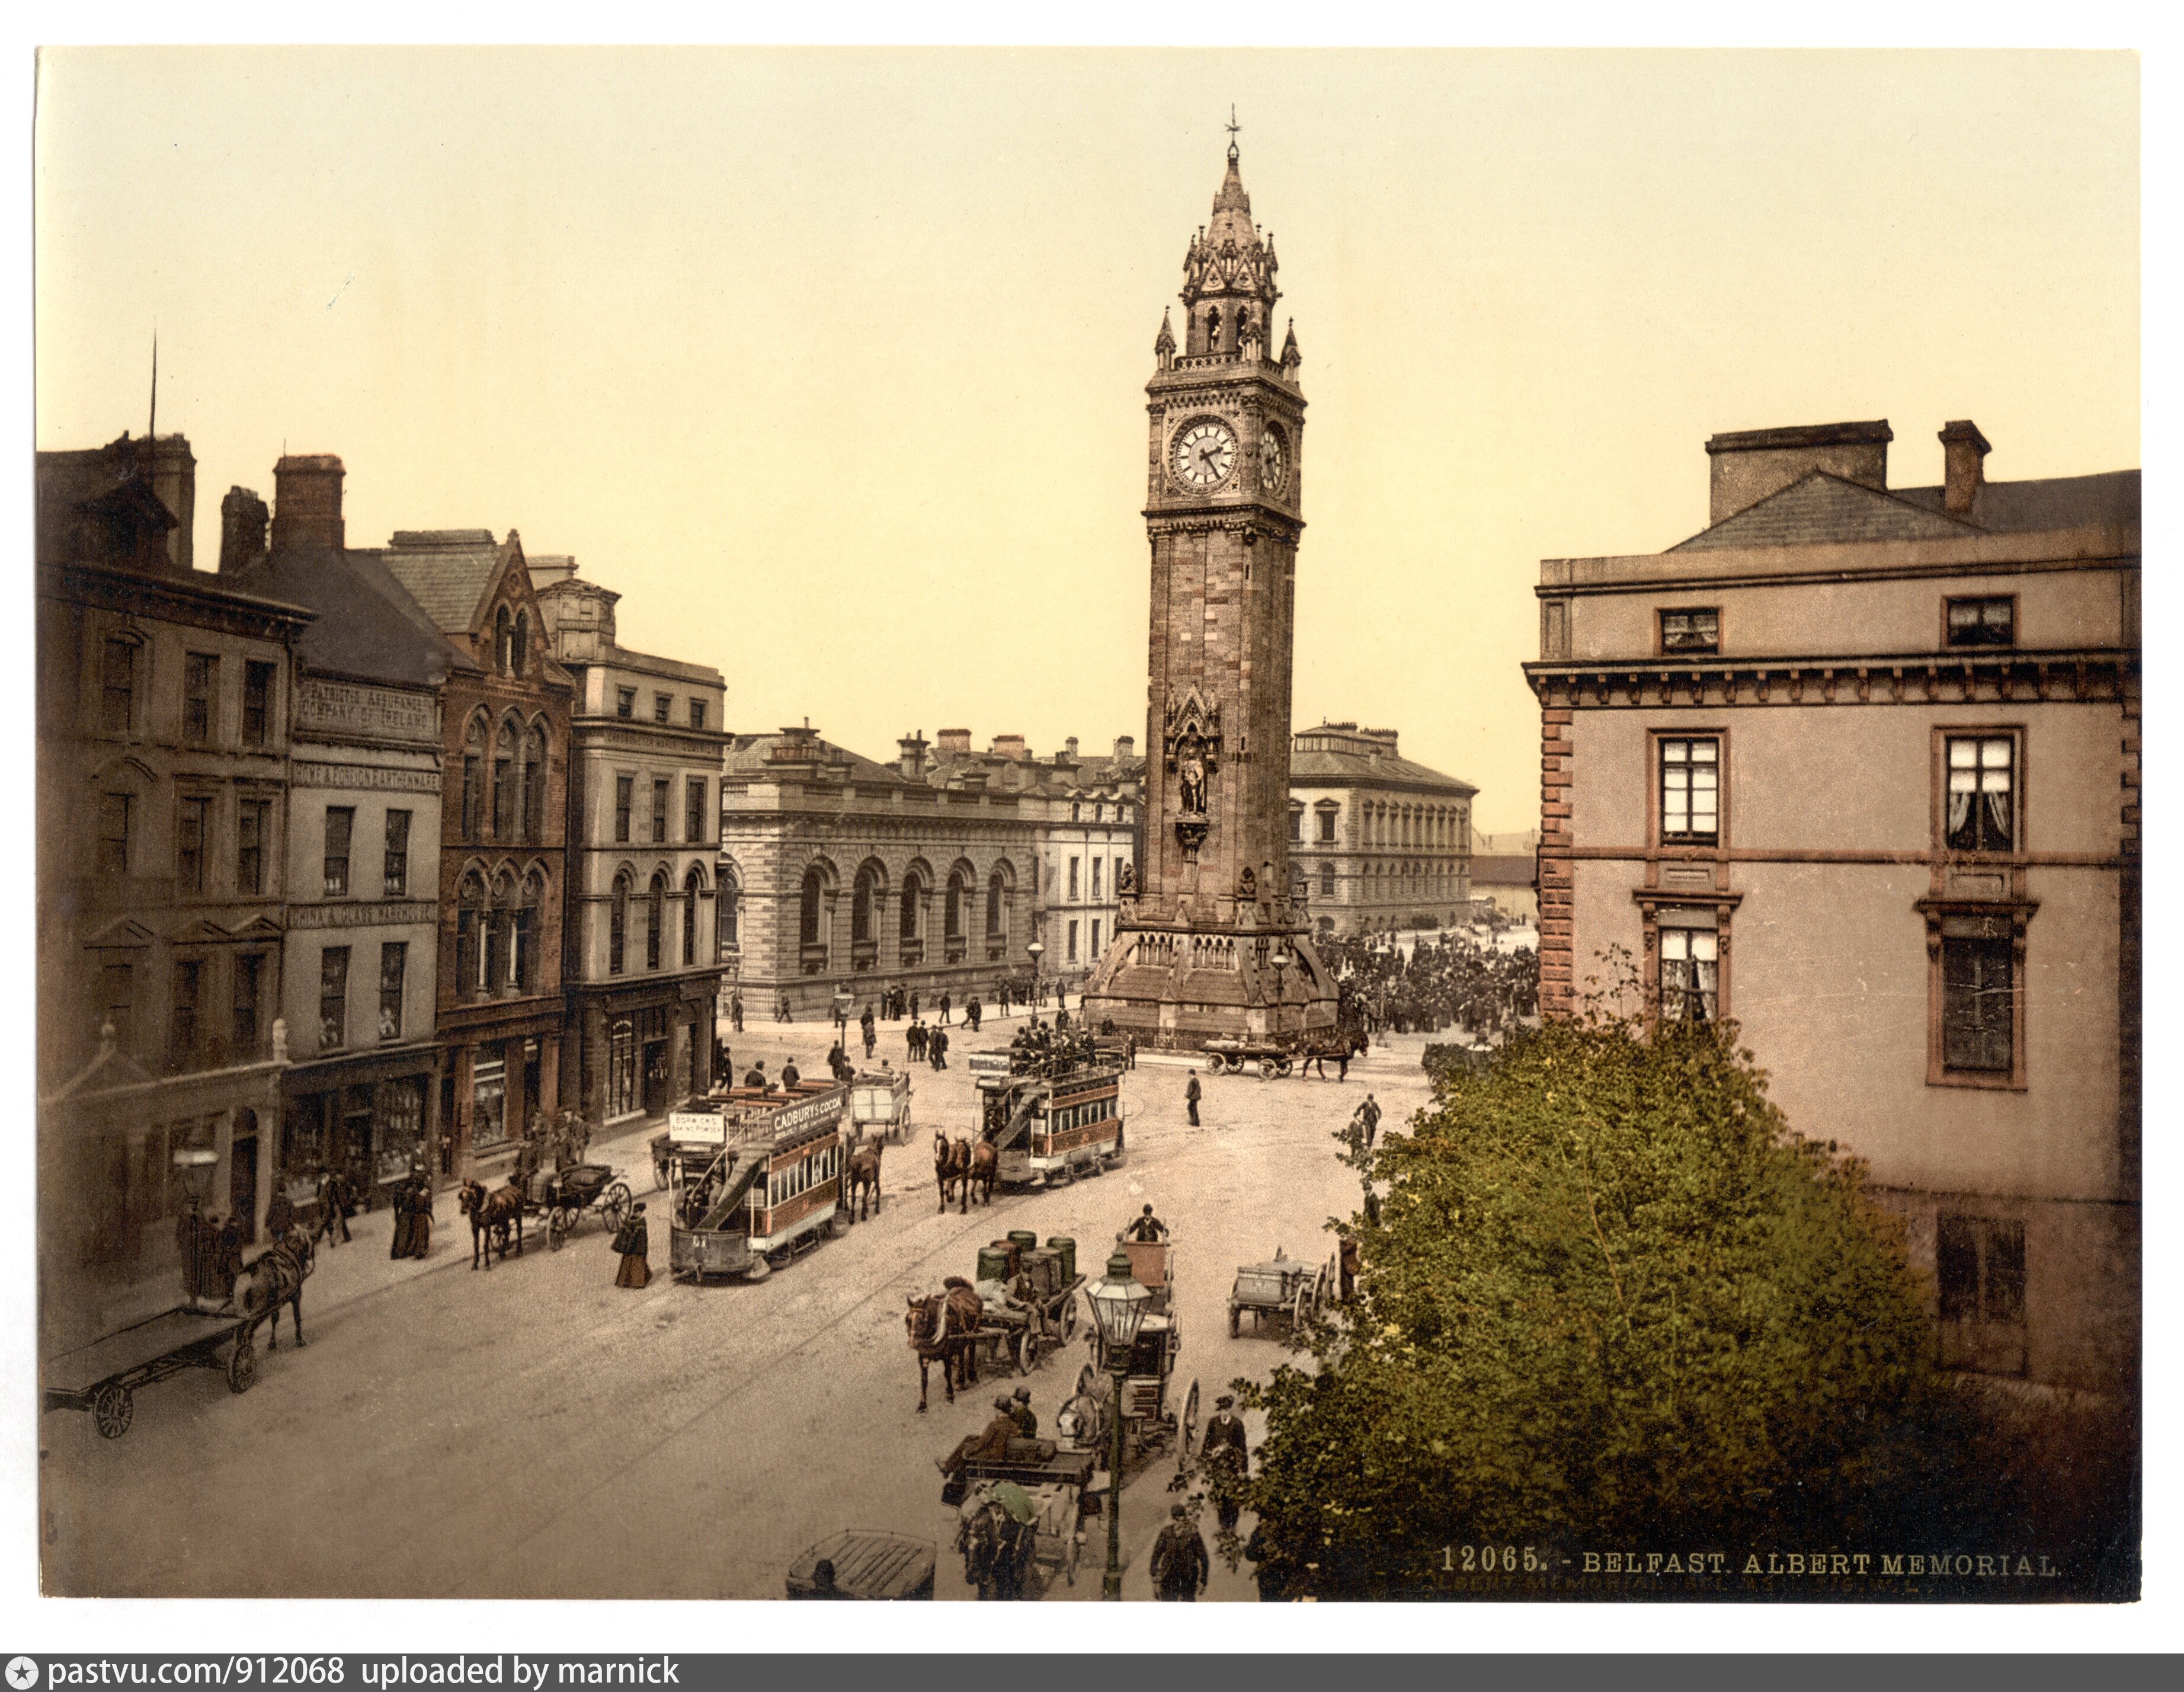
{"type": "Point", "coordinates": [506, 713]}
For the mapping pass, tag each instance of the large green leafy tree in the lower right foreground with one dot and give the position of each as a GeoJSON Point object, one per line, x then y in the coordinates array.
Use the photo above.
{"type": "Point", "coordinates": [1609, 1298]}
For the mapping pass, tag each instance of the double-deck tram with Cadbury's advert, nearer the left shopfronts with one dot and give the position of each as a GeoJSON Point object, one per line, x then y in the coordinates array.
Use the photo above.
{"type": "Point", "coordinates": [770, 1191]}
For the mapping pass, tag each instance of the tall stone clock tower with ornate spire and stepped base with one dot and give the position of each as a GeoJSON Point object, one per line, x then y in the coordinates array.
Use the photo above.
{"type": "Point", "coordinates": [1213, 940]}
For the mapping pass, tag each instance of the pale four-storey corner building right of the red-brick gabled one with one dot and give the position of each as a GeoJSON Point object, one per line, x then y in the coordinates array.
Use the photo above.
{"type": "Point", "coordinates": [641, 946]}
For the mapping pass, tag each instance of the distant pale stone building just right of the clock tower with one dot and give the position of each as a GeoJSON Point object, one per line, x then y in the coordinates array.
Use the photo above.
{"type": "Point", "coordinates": [1377, 842]}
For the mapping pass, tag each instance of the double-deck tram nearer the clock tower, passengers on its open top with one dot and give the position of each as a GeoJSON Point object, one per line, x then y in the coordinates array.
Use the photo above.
{"type": "Point", "coordinates": [1049, 1112]}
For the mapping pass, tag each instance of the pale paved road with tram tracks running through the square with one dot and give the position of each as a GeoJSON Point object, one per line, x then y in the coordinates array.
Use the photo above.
{"type": "Point", "coordinates": [536, 1431]}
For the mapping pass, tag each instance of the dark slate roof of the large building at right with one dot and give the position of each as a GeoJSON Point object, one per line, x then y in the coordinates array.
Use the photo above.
{"type": "Point", "coordinates": [1823, 510]}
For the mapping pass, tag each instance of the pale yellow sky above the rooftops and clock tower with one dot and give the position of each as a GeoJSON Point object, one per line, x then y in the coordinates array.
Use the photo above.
{"type": "Point", "coordinates": [833, 364]}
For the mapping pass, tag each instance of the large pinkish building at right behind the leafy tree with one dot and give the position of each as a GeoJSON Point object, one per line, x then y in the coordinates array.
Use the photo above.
{"type": "Point", "coordinates": [1857, 765]}
